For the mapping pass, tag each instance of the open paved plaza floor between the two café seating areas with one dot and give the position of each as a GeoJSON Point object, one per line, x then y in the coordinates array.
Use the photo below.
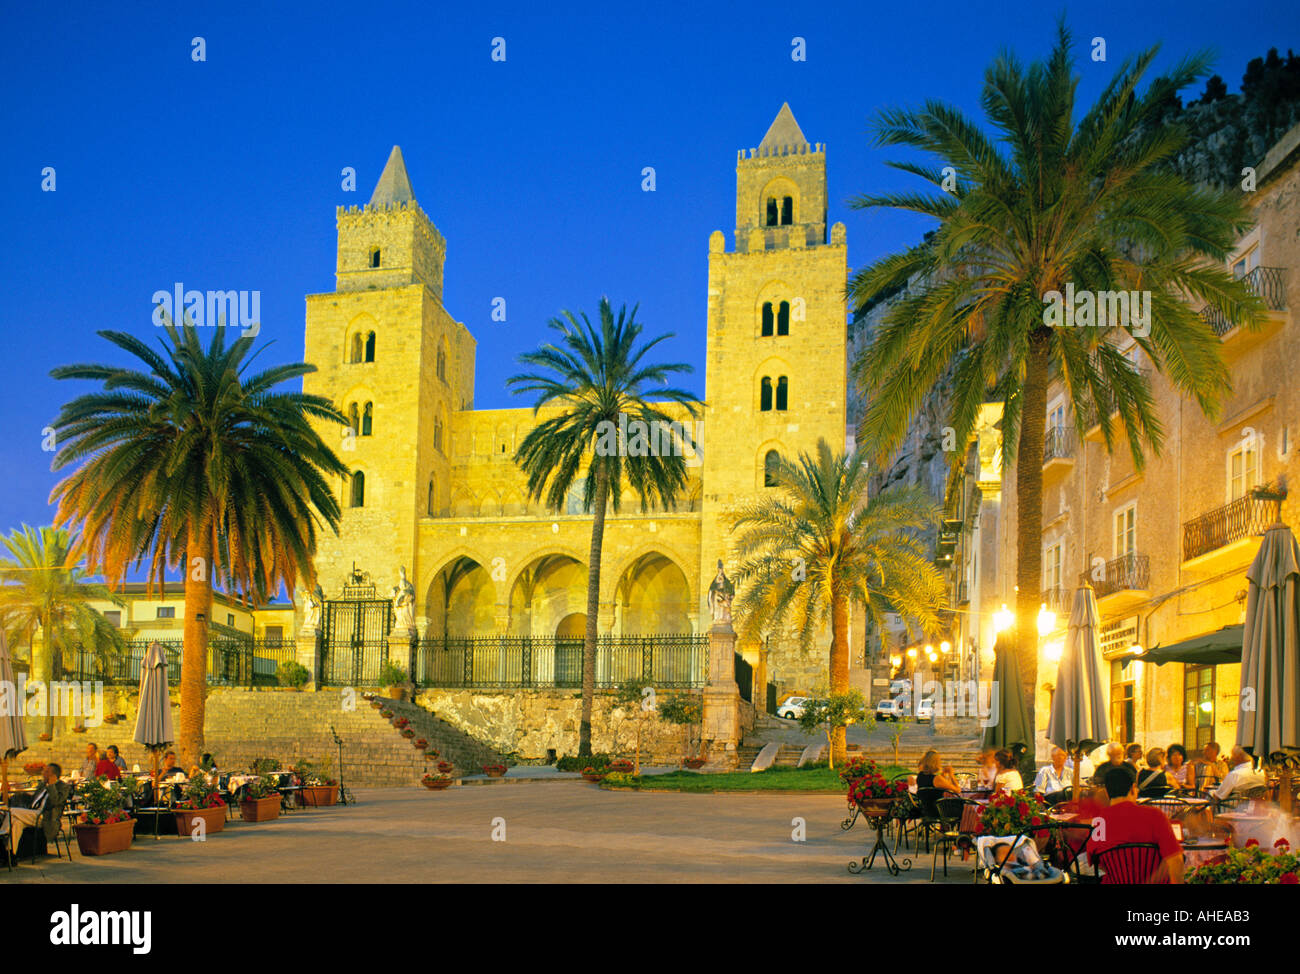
{"type": "Point", "coordinates": [554, 832]}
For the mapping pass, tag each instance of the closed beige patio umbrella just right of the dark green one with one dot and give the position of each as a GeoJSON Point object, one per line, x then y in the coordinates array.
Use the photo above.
{"type": "Point", "coordinates": [1080, 703]}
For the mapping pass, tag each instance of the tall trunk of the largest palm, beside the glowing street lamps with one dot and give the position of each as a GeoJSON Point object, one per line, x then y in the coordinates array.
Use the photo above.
{"type": "Point", "coordinates": [1029, 513]}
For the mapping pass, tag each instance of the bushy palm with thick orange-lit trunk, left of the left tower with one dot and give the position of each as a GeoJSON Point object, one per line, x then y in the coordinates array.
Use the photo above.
{"type": "Point", "coordinates": [198, 465]}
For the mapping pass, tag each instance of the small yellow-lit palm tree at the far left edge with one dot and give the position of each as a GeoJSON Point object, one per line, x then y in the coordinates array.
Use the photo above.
{"type": "Point", "coordinates": [41, 588]}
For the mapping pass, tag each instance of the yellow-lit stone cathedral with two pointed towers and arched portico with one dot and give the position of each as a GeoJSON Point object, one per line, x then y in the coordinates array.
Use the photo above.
{"type": "Point", "coordinates": [436, 507]}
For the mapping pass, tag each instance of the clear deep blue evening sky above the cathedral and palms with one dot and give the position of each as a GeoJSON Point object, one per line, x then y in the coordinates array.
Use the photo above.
{"type": "Point", "coordinates": [226, 175]}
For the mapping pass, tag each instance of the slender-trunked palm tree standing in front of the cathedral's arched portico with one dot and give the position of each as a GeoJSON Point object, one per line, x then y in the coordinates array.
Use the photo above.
{"type": "Point", "coordinates": [597, 376]}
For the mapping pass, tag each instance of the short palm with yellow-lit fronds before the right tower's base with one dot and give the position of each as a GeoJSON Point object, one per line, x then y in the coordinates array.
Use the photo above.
{"type": "Point", "coordinates": [821, 543]}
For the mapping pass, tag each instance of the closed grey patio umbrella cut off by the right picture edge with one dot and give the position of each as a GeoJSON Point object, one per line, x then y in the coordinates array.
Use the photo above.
{"type": "Point", "coordinates": [1269, 709]}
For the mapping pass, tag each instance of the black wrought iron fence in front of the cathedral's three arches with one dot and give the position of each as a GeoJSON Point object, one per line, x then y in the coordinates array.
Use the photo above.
{"type": "Point", "coordinates": [505, 663]}
